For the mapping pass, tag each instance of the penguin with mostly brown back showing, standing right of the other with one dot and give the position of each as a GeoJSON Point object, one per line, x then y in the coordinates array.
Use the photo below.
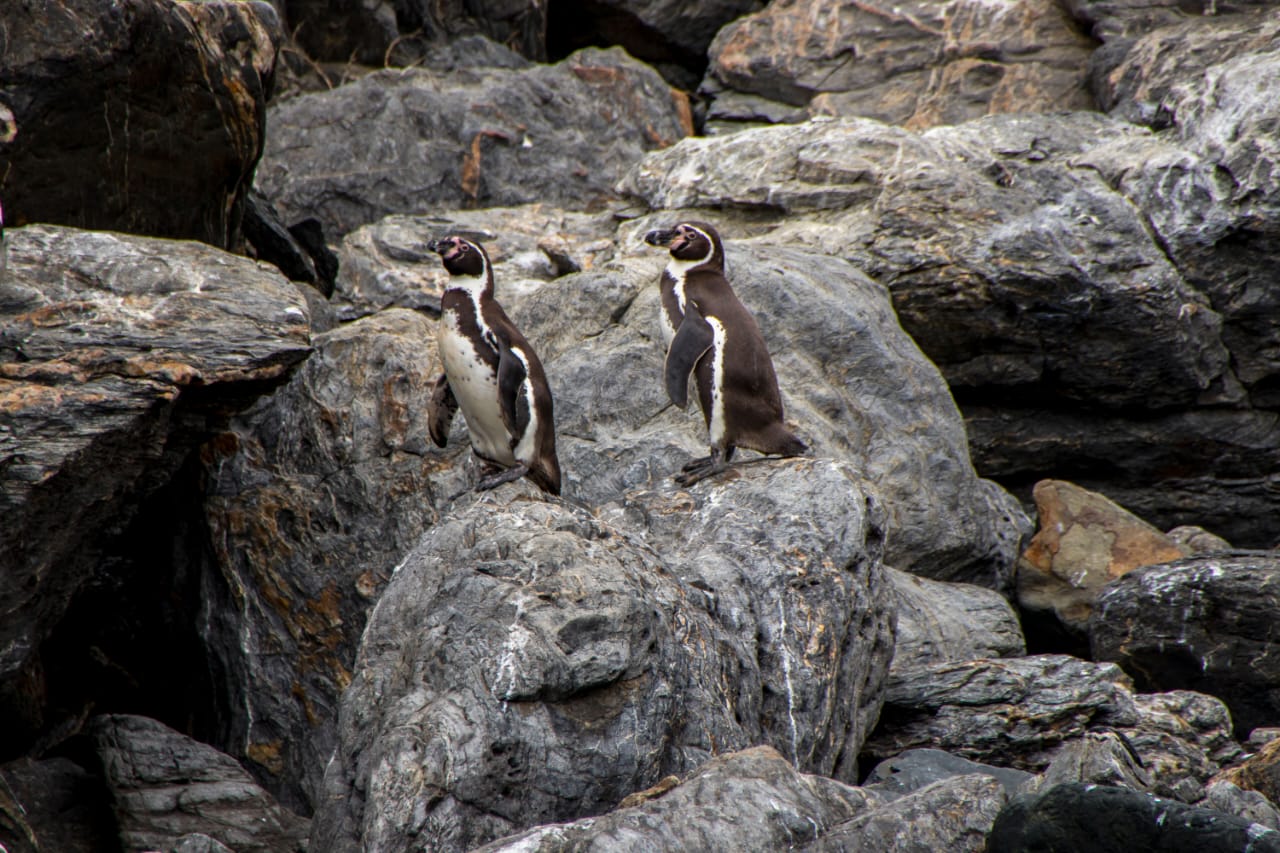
{"type": "Point", "coordinates": [716, 339]}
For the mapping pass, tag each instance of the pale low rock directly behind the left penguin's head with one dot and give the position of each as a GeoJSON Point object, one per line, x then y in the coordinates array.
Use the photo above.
{"type": "Point", "coordinates": [388, 264]}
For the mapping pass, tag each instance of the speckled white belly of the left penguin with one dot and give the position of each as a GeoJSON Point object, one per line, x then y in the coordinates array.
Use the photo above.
{"type": "Point", "coordinates": [476, 387]}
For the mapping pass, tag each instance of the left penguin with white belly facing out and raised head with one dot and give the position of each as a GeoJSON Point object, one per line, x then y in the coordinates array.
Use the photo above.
{"type": "Point", "coordinates": [493, 376]}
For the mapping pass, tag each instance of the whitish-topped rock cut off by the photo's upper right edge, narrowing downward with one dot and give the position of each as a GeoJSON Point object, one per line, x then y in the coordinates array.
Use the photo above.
{"type": "Point", "coordinates": [1209, 184]}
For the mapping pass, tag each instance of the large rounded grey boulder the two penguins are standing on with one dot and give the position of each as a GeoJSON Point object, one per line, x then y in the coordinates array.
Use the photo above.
{"type": "Point", "coordinates": [524, 641]}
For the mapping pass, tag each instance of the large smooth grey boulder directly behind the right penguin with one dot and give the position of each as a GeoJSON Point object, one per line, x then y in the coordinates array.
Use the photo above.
{"type": "Point", "coordinates": [857, 387]}
